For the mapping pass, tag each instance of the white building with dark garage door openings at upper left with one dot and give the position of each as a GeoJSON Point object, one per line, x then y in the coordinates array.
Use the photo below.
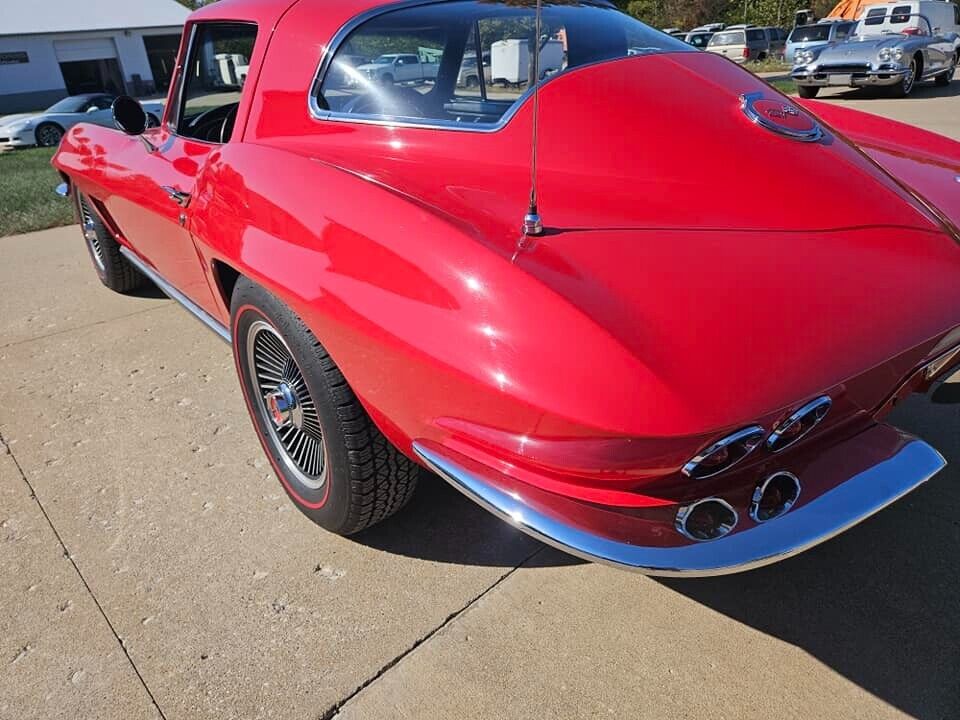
{"type": "Point", "coordinates": [55, 48]}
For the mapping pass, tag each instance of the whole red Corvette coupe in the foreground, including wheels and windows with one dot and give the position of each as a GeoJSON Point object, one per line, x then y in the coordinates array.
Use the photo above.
{"type": "Point", "coordinates": [478, 236]}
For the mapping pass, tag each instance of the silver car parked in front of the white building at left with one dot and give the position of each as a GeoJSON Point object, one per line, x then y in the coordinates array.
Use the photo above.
{"type": "Point", "coordinates": [46, 128]}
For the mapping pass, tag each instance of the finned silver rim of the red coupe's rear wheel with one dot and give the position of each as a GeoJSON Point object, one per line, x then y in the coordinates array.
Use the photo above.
{"type": "Point", "coordinates": [289, 411]}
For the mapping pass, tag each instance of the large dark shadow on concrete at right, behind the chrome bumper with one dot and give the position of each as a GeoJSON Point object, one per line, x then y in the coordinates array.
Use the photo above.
{"type": "Point", "coordinates": [879, 604]}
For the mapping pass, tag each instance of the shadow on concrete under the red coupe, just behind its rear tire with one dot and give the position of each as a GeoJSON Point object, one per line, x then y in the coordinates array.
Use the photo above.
{"type": "Point", "coordinates": [442, 525]}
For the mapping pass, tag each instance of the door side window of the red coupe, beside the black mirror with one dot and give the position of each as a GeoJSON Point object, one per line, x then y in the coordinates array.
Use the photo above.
{"type": "Point", "coordinates": [212, 80]}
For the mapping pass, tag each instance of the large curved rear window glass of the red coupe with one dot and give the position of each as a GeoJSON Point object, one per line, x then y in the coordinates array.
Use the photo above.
{"type": "Point", "coordinates": [448, 85]}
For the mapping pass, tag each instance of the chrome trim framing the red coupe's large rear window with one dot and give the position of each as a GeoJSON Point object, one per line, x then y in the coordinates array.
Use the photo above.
{"type": "Point", "coordinates": [330, 51]}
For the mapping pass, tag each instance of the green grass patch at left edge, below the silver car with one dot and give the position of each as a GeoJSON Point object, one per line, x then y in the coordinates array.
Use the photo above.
{"type": "Point", "coordinates": [27, 200]}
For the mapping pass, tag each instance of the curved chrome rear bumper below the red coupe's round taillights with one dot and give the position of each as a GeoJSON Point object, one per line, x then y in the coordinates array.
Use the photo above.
{"type": "Point", "coordinates": [829, 515]}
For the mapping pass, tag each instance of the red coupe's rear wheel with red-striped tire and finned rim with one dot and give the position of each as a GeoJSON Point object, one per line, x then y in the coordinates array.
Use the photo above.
{"type": "Point", "coordinates": [333, 462]}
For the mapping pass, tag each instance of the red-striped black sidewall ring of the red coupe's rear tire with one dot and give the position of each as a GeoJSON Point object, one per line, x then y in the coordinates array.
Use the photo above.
{"type": "Point", "coordinates": [329, 505]}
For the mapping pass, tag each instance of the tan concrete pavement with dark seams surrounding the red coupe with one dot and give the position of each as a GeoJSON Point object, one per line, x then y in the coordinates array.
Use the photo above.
{"type": "Point", "coordinates": [150, 565]}
